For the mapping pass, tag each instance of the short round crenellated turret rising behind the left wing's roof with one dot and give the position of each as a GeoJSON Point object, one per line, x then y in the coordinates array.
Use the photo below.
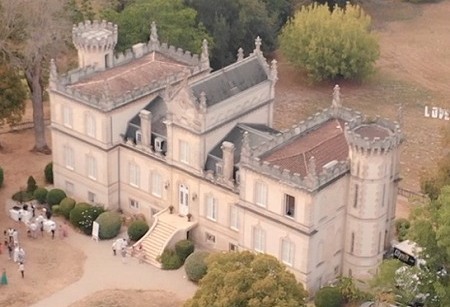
{"type": "Point", "coordinates": [95, 42]}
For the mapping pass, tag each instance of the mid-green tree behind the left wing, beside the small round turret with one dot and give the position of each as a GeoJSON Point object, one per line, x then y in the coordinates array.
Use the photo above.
{"type": "Point", "coordinates": [176, 23]}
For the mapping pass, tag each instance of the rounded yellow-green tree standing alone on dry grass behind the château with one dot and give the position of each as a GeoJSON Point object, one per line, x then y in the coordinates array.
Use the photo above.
{"type": "Point", "coordinates": [330, 45]}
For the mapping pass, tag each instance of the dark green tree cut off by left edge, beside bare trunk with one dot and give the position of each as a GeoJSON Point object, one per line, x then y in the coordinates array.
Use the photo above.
{"type": "Point", "coordinates": [12, 96]}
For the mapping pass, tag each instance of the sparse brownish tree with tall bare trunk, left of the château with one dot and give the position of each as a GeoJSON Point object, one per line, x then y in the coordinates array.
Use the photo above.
{"type": "Point", "coordinates": [31, 33]}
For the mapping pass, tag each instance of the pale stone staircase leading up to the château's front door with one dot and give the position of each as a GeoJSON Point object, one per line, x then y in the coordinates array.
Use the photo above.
{"type": "Point", "coordinates": [155, 241]}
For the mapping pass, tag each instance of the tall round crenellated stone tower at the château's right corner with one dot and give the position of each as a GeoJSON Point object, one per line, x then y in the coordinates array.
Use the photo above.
{"type": "Point", "coordinates": [374, 172]}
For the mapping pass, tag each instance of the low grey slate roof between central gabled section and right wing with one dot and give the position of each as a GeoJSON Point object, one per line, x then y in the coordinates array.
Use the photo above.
{"type": "Point", "coordinates": [257, 133]}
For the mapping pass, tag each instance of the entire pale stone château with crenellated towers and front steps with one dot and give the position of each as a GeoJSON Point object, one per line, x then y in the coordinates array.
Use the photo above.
{"type": "Point", "coordinates": [153, 130]}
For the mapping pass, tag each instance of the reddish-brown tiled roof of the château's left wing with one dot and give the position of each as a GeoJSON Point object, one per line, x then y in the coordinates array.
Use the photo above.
{"type": "Point", "coordinates": [138, 73]}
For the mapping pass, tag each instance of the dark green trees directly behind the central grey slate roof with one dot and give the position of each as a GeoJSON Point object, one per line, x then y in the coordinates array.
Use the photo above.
{"type": "Point", "coordinates": [235, 24]}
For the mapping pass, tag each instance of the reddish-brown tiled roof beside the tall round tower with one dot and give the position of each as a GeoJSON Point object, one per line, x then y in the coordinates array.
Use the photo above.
{"type": "Point", "coordinates": [326, 143]}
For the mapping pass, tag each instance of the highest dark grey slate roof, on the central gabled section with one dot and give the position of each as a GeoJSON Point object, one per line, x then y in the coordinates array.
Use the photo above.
{"type": "Point", "coordinates": [230, 81]}
